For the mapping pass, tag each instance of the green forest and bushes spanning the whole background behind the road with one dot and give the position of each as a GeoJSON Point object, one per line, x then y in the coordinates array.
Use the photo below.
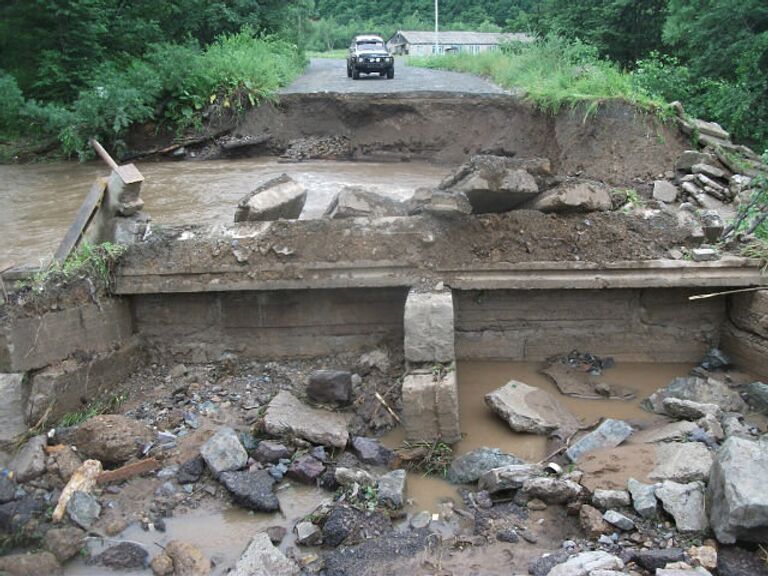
{"type": "Point", "coordinates": [71, 69]}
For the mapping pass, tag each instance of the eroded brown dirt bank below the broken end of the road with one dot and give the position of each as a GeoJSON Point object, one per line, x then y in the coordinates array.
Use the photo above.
{"type": "Point", "coordinates": [616, 144]}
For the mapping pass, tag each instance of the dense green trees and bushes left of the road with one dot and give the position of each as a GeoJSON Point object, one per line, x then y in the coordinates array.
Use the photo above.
{"type": "Point", "coordinates": [75, 69]}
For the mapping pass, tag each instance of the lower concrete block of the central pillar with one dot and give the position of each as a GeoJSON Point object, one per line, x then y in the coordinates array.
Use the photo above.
{"type": "Point", "coordinates": [431, 406]}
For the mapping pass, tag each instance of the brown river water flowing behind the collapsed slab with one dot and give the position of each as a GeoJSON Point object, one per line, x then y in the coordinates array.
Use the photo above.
{"type": "Point", "coordinates": [39, 201]}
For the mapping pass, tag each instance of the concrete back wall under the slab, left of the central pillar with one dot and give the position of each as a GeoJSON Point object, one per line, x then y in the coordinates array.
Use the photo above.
{"type": "Point", "coordinates": [269, 324]}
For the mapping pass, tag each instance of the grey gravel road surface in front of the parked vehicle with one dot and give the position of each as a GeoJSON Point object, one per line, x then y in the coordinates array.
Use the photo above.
{"type": "Point", "coordinates": [330, 75]}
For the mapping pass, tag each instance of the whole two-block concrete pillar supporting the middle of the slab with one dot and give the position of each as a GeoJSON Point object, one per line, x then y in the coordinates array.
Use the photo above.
{"type": "Point", "coordinates": [430, 392]}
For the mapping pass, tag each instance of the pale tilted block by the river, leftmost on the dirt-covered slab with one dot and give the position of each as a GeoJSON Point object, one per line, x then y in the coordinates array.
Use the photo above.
{"type": "Point", "coordinates": [280, 197]}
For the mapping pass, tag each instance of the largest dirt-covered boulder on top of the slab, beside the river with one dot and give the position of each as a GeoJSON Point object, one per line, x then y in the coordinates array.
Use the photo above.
{"type": "Point", "coordinates": [496, 183]}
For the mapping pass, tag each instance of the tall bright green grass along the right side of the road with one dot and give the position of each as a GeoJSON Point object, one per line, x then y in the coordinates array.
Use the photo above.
{"type": "Point", "coordinates": [552, 73]}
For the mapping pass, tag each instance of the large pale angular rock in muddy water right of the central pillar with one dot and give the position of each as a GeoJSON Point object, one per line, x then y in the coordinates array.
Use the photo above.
{"type": "Point", "coordinates": [532, 410]}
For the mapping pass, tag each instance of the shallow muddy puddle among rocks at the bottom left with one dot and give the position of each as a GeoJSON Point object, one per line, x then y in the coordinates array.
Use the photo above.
{"type": "Point", "coordinates": [222, 535]}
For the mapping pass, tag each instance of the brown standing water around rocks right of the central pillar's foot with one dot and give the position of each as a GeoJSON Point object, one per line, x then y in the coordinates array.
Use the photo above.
{"type": "Point", "coordinates": [481, 427]}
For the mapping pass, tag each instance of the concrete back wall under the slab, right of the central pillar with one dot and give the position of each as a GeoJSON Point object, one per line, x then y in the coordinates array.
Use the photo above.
{"type": "Point", "coordinates": [650, 325]}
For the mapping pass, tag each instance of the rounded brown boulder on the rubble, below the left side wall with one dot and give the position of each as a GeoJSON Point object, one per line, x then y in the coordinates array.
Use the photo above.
{"type": "Point", "coordinates": [112, 438]}
